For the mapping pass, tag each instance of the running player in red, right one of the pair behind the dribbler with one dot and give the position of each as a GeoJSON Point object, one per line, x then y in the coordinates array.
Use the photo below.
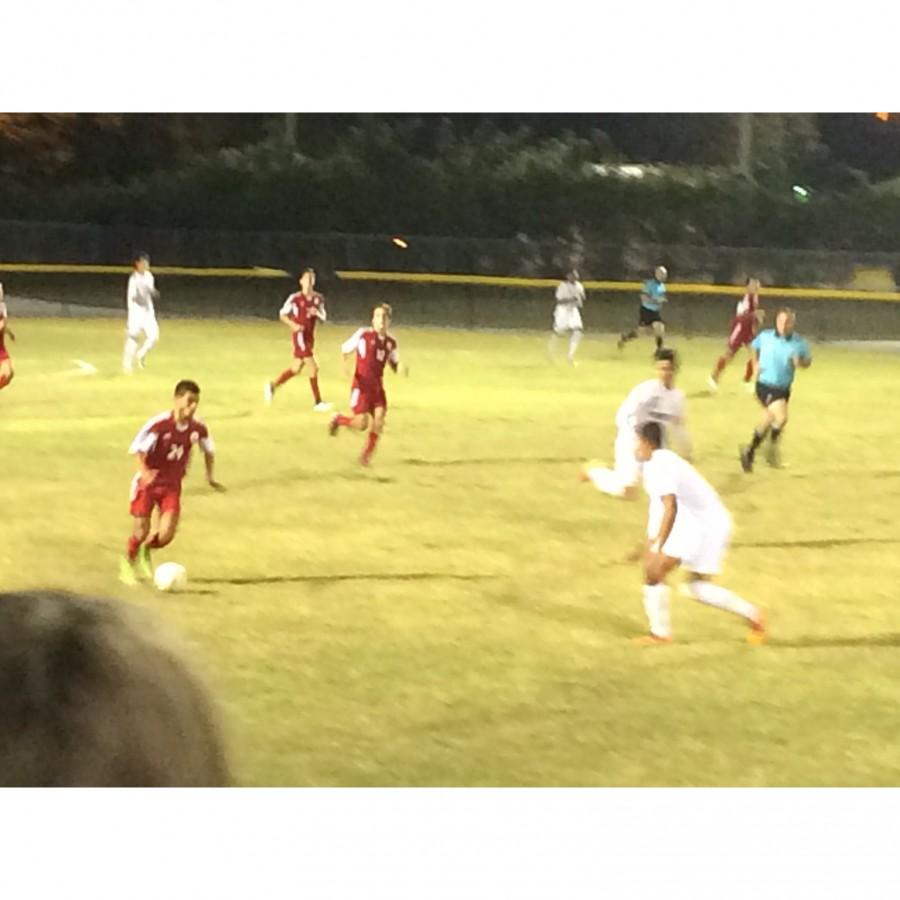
{"type": "Point", "coordinates": [373, 348]}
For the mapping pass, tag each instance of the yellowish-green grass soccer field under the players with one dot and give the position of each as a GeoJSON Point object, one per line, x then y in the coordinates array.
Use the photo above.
{"type": "Point", "coordinates": [460, 614]}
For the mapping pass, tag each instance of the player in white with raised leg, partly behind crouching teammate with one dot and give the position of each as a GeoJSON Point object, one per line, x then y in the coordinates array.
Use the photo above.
{"type": "Point", "coordinates": [656, 400]}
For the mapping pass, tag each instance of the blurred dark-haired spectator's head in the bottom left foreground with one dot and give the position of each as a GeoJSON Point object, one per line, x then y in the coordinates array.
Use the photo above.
{"type": "Point", "coordinates": [92, 695]}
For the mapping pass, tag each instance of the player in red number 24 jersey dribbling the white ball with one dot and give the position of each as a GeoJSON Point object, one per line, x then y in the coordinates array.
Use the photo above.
{"type": "Point", "coordinates": [163, 450]}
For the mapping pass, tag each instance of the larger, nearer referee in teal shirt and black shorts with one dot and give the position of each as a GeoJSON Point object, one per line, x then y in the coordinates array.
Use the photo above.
{"type": "Point", "coordinates": [777, 352]}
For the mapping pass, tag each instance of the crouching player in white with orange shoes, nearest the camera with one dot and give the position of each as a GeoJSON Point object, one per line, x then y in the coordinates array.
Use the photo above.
{"type": "Point", "coordinates": [687, 526]}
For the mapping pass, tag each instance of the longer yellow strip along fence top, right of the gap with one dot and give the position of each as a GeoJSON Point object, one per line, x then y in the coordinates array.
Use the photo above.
{"type": "Point", "coordinates": [678, 288]}
